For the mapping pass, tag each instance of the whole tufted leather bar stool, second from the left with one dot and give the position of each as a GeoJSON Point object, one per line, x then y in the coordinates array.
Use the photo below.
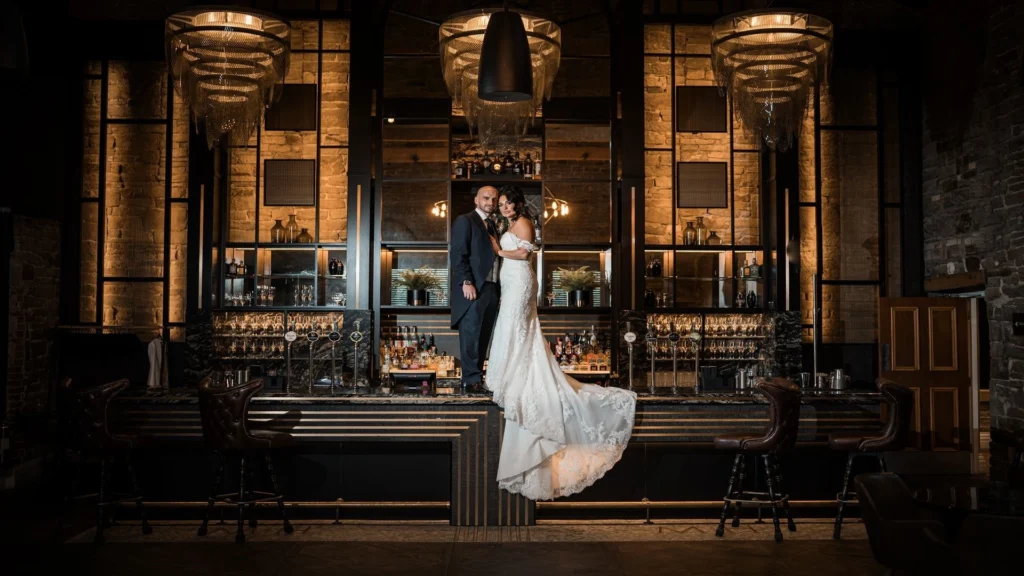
{"type": "Point", "coordinates": [225, 413]}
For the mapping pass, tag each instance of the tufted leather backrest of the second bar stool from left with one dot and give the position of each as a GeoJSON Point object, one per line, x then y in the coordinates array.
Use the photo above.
{"type": "Point", "coordinates": [225, 413]}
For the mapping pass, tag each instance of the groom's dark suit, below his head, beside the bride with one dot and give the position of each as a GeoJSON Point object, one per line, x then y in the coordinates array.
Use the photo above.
{"type": "Point", "coordinates": [473, 259]}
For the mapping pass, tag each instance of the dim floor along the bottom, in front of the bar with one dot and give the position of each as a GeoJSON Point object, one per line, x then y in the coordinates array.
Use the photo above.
{"type": "Point", "coordinates": [377, 549]}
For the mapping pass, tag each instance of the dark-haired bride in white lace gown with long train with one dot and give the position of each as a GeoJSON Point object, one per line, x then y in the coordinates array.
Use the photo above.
{"type": "Point", "coordinates": [561, 436]}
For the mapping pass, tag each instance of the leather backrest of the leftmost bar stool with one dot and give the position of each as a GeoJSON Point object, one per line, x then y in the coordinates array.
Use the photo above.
{"type": "Point", "coordinates": [91, 410]}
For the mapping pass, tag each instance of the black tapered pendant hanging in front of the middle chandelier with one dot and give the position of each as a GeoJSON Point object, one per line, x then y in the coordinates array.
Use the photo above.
{"type": "Point", "coordinates": [506, 68]}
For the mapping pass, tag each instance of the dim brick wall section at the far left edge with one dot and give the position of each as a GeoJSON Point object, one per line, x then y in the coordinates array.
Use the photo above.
{"type": "Point", "coordinates": [35, 273]}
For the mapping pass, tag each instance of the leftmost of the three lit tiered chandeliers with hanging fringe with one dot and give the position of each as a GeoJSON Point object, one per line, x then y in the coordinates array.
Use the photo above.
{"type": "Point", "coordinates": [229, 66]}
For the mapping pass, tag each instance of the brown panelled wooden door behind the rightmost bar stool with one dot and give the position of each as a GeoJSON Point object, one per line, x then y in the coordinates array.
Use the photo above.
{"type": "Point", "coordinates": [926, 347]}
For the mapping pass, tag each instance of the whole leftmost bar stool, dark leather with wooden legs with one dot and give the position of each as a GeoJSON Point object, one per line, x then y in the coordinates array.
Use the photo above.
{"type": "Point", "coordinates": [91, 409]}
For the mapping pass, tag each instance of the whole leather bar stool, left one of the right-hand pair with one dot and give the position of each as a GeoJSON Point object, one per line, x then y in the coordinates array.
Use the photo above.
{"type": "Point", "coordinates": [784, 417]}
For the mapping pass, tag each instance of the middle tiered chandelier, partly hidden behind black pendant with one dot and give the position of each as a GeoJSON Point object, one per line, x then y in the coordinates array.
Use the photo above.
{"type": "Point", "coordinates": [499, 125]}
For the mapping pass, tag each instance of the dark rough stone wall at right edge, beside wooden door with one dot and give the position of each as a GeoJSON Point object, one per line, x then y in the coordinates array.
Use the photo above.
{"type": "Point", "coordinates": [974, 198]}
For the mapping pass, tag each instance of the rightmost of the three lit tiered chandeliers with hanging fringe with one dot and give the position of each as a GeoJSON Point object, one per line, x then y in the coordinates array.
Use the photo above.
{"type": "Point", "coordinates": [770, 61]}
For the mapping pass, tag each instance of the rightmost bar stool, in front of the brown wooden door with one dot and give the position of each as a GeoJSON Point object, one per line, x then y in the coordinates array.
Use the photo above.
{"type": "Point", "coordinates": [892, 439]}
